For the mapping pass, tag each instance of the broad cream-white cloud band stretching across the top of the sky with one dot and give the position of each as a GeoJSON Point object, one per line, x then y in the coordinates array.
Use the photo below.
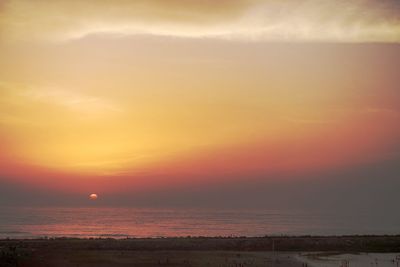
{"type": "Point", "coordinates": [286, 20]}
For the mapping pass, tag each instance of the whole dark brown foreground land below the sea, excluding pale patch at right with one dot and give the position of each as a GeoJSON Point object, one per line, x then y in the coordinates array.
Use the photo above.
{"type": "Point", "coordinates": [184, 251]}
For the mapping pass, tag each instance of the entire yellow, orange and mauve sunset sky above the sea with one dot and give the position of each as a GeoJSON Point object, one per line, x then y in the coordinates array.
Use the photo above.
{"type": "Point", "coordinates": [253, 103]}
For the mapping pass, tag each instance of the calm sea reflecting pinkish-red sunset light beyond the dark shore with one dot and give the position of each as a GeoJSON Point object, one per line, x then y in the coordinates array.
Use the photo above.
{"type": "Point", "coordinates": [131, 222]}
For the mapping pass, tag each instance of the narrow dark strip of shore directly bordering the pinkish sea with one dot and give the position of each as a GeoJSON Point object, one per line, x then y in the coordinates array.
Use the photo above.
{"type": "Point", "coordinates": [352, 243]}
